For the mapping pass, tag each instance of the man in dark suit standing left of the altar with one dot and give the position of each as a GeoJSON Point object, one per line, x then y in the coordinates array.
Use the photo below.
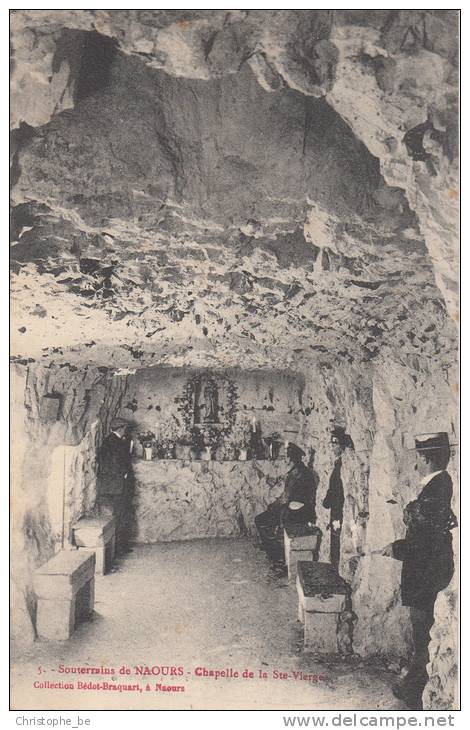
{"type": "Point", "coordinates": [114, 481]}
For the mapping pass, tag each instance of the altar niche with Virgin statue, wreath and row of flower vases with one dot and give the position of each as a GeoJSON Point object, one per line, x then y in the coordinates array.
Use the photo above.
{"type": "Point", "coordinates": [209, 415]}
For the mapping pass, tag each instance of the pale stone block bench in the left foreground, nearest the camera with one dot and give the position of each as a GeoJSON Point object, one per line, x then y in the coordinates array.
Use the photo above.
{"type": "Point", "coordinates": [65, 588]}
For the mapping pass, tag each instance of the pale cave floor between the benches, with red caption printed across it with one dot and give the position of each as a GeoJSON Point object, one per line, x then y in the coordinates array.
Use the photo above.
{"type": "Point", "coordinates": [212, 603]}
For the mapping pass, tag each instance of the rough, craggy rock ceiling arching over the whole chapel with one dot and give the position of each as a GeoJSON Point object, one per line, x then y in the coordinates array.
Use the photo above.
{"type": "Point", "coordinates": [186, 188]}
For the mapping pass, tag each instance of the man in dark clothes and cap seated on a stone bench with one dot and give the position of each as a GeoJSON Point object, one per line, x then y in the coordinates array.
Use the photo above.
{"type": "Point", "coordinates": [295, 505]}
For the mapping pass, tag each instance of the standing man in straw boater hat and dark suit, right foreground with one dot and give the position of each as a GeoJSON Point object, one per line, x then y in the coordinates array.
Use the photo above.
{"type": "Point", "coordinates": [427, 555]}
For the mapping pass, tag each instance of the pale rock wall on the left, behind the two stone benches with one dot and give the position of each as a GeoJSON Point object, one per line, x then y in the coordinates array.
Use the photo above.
{"type": "Point", "coordinates": [53, 467]}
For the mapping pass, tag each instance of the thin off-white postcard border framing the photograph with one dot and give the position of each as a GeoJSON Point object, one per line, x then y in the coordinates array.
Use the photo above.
{"type": "Point", "coordinates": [230, 720]}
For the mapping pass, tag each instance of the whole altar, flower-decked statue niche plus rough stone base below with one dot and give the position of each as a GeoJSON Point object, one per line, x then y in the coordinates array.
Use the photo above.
{"type": "Point", "coordinates": [209, 449]}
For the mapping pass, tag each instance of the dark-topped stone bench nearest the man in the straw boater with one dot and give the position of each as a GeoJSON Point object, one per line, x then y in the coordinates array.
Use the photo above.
{"type": "Point", "coordinates": [323, 597]}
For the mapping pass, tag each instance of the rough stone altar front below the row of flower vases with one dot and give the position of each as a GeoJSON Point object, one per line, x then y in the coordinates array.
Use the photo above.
{"type": "Point", "coordinates": [182, 499]}
